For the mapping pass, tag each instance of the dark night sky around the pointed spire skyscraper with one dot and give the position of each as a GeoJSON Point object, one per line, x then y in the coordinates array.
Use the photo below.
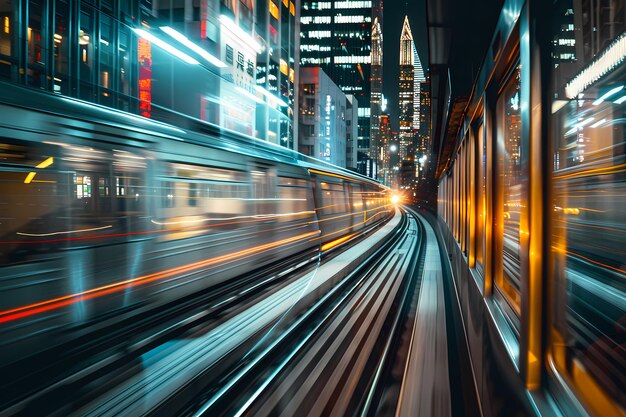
{"type": "Point", "coordinates": [393, 17]}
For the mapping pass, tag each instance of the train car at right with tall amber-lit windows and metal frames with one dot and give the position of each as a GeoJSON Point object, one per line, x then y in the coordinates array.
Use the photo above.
{"type": "Point", "coordinates": [531, 206]}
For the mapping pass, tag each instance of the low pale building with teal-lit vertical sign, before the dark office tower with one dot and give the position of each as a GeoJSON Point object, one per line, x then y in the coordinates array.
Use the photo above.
{"type": "Point", "coordinates": [322, 117]}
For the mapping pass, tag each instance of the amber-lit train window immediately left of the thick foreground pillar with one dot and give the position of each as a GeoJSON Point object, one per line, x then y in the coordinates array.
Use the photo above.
{"type": "Point", "coordinates": [510, 196]}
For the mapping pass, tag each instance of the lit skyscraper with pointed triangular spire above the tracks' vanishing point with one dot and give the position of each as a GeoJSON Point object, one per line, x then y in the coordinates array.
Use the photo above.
{"type": "Point", "coordinates": [411, 75]}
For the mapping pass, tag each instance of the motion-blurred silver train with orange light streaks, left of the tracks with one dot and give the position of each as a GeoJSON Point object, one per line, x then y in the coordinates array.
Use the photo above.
{"type": "Point", "coordinates": [104, 214]}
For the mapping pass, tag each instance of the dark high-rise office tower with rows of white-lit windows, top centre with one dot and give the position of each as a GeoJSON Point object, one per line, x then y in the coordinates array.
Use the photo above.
{"type": "Point", "coordinates": [336, 35]}
